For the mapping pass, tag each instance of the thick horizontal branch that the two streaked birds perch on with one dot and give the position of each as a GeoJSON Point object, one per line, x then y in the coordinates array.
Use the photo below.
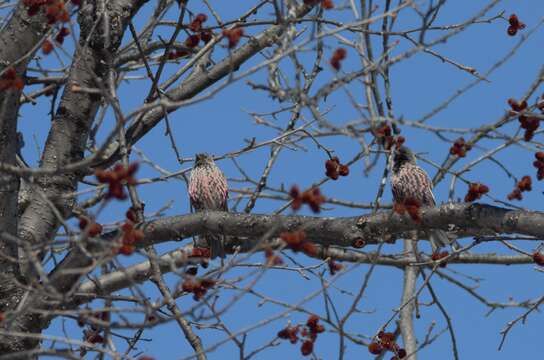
{"type": "Point", "coordinates": [458, 218]}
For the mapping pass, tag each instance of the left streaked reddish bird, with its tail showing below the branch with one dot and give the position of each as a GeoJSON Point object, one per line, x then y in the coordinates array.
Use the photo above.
{"type": "Point", "coordinates": [208, 190]}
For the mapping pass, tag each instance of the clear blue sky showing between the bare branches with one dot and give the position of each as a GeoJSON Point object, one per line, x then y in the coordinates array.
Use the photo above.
{"type": "Point", "coordinates": [220, 125]}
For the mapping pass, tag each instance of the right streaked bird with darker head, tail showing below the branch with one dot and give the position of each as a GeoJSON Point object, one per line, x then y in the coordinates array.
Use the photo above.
{"type": "Point", "coordinates": [411, 182]}
